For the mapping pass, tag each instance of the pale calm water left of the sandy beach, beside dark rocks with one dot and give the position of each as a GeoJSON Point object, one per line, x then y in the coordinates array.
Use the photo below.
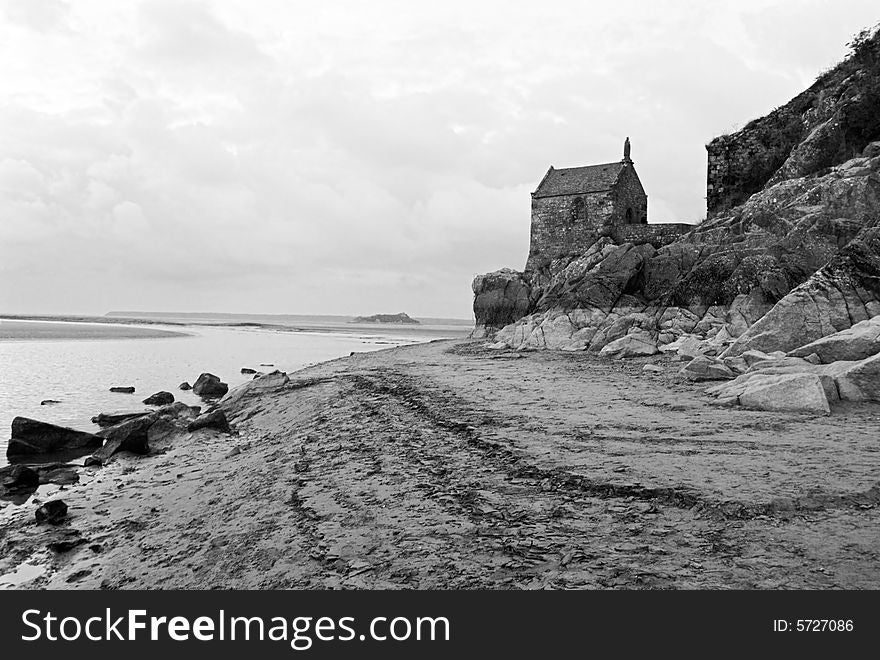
{"type": "Point", "coordinates": [79, 372]}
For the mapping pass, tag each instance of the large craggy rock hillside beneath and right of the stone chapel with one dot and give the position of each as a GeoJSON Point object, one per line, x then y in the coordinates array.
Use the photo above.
{"type": "Point", "coordinates": [785, 261]}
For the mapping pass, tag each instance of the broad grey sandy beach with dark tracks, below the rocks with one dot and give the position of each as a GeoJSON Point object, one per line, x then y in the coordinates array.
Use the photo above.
{"type": "Point", "coordinates": [446, 465]}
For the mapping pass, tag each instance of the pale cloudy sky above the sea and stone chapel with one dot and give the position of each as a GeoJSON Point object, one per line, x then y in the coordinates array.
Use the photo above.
{"type": "Point", "coordinates": [353, 157]}
